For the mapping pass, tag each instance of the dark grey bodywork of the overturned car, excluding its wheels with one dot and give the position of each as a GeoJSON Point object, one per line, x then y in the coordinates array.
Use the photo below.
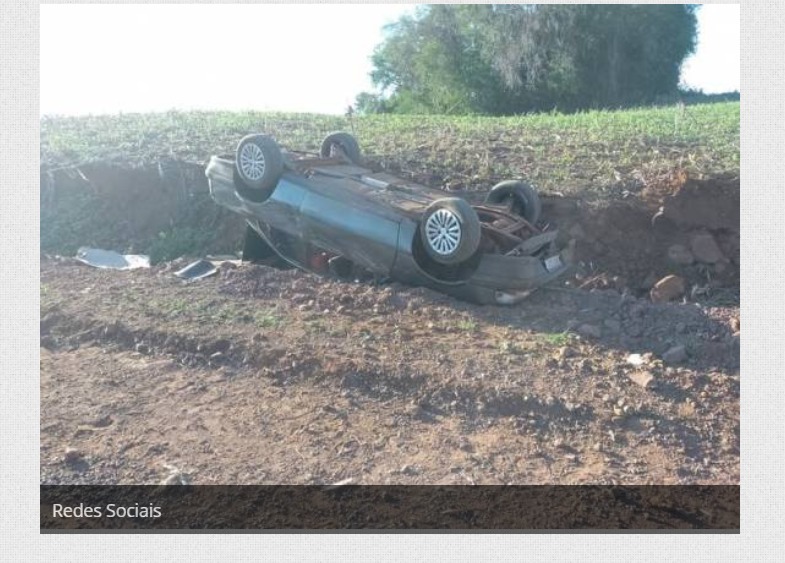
{"type": "Point", "coordinates": [372, 218]}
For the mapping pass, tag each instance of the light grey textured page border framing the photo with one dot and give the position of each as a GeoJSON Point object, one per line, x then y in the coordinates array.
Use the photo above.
{"type": "Point", "coordinates": [762, 428]}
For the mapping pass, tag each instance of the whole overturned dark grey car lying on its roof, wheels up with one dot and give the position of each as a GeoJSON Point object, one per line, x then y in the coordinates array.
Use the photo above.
{"type": "Point", "coordinates": [328, 213]}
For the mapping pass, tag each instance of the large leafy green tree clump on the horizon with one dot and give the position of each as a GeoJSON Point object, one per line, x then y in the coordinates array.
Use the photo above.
{"type": "Point", "coordinates": [500, 59]}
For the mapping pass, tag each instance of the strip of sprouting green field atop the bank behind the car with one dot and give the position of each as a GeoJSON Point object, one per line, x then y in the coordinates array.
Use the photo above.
{"type": "Point", "coordinates": [587, 152]}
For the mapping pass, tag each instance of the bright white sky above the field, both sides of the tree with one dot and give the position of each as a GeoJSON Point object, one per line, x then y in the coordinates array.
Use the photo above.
{"type": "Point", "coordinates": [102, 58]}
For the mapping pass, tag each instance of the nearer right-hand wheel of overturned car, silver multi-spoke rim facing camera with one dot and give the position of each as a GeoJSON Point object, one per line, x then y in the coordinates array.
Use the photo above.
{"type": "Point", "coordinates": [450, 230]}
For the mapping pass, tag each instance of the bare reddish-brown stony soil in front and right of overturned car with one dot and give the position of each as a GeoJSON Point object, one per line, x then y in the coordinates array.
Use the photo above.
{"type": "Point", "coordinates": [260, 375]}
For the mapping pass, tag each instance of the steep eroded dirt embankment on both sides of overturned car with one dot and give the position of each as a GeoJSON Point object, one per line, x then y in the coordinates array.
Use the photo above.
{"type": "Point", "coordinates": [629, 241]}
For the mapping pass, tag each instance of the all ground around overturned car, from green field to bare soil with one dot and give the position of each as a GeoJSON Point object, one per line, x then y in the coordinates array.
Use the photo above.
{"type": "Point", "coordinates": [260, 375]}
